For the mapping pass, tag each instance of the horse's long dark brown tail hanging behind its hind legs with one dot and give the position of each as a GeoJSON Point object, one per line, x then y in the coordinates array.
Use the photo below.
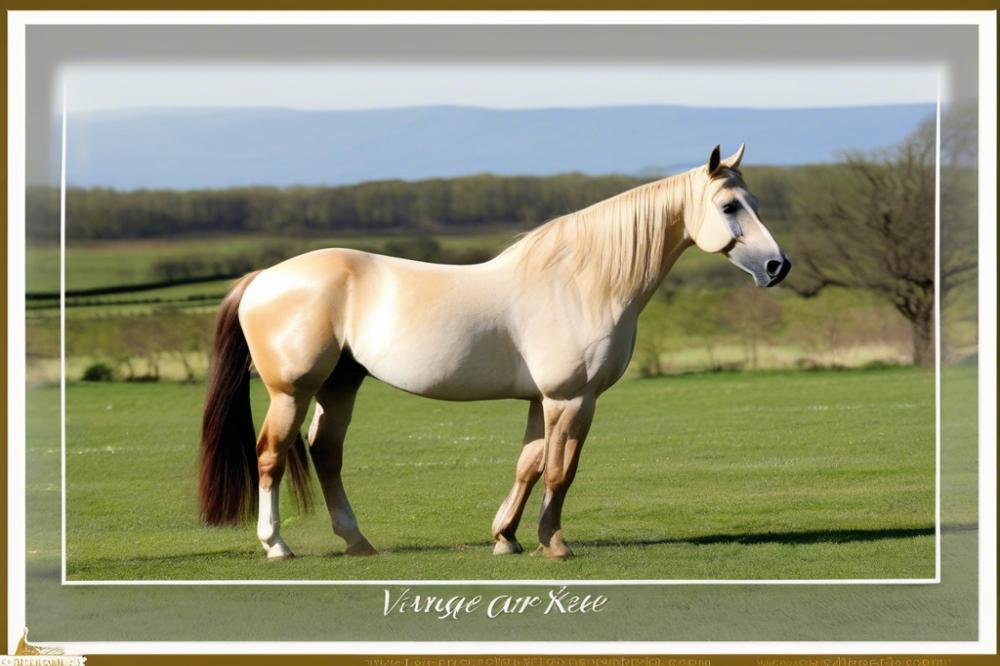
{"type": "Point", "coordinates": [228, 471]}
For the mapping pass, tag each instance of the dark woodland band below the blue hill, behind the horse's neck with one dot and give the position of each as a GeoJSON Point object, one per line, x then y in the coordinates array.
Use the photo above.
{"type": "Point", "coordinates": [429, 205]}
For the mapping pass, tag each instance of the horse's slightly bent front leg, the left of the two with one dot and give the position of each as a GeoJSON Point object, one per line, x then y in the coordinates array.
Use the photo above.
{"type": "Point", "coordinates": [528, 472]}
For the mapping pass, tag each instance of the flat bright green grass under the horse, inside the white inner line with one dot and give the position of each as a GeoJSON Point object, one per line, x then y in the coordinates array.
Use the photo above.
{"type": "Point", "coordinates": [805, 475]}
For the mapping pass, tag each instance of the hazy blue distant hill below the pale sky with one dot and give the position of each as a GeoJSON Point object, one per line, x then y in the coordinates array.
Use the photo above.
{"type": "Point", "coordinates": [214, 148]}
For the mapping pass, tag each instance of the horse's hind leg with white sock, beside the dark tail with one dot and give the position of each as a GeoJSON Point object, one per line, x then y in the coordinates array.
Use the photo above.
{"type": "Point", "coordinates": [281, 427]}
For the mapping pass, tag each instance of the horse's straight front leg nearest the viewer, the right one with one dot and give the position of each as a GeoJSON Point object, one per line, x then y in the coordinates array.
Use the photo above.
{"type": "Point", "coordinates": [566, 425]}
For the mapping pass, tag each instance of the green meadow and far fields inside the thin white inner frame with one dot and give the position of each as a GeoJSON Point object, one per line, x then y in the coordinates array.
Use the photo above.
{"type": "Point", "coordinates": [734, 475]}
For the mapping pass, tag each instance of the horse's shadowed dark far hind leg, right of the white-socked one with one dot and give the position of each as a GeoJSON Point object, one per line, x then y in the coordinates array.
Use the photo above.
{"type": "Point", "coordinates": [334, 405]}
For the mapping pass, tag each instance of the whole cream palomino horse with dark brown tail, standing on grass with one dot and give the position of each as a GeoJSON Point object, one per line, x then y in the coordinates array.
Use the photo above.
{"type": "Point", "coordinates": [552, 320]}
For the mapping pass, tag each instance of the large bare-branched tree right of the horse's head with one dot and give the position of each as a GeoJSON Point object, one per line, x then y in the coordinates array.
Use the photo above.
{"type": "Point", "coordinates": [870, 225]}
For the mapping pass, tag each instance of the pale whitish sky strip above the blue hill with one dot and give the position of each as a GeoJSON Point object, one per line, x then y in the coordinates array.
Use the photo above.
{"type": "Point", "coordinates": [329, 86]}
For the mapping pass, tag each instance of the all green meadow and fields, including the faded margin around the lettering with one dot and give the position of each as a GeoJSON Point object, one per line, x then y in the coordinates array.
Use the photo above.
{"type": "Point", "coordinates": [799, 470]}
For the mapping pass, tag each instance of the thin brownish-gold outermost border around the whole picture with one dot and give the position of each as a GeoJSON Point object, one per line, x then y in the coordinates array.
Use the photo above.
{"type": "Point", "coordinates": [913, 659]}
